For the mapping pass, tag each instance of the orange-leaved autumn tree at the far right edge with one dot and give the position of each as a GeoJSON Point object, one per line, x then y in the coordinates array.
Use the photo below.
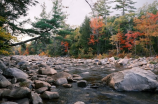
{"type": "Point", "coordinates": [148, 26]}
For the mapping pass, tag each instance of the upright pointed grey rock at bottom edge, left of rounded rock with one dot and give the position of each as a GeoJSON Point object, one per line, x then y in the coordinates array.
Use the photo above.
{"type": "Point", "coordinates": [36, 99]}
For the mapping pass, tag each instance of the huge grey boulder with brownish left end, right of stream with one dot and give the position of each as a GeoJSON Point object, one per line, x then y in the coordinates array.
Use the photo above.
{"type": "Point", "coordinates": [135, 79]}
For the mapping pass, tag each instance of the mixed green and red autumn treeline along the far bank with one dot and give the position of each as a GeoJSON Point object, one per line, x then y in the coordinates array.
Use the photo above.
{"type": "Point", "coordinates": [133, 33]}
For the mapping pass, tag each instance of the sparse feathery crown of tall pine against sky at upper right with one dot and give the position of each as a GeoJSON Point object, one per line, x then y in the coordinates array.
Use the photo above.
{"type": "Point", "coordinates": [125, 5]}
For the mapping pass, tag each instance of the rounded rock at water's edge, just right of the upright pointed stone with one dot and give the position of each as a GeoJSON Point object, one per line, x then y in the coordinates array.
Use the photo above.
{"type": "Point", "coordinates": [50, 95]}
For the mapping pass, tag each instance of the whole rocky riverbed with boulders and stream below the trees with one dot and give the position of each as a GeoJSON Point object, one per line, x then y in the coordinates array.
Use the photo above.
{"type": "Point", "coordinates": [60, 80]}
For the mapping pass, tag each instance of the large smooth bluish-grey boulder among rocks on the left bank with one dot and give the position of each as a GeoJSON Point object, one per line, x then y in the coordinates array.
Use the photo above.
{"type": "Point", "coordinates": [15, 72]}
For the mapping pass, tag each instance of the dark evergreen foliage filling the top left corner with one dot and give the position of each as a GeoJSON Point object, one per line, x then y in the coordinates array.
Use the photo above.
{"type": "Point", "coordinates": [13, 10]}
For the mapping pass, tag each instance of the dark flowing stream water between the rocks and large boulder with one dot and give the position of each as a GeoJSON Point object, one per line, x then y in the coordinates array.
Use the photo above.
{"type": "Point", "coordinates": [101, 95]}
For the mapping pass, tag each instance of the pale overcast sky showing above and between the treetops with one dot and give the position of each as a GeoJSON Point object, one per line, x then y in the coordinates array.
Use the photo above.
{"type": "Point", "coordinates": [77, 9]}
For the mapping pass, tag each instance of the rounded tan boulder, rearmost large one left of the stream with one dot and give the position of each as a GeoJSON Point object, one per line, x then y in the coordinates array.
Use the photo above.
{"type": "Point", "coordinates": [47, 71]}
